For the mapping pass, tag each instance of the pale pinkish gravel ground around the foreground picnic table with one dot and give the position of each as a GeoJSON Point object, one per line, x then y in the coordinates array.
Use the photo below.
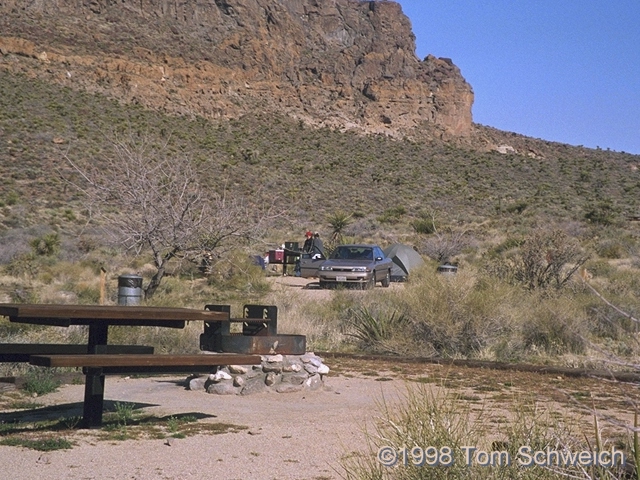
{"type": "Point", "coordinates": [298, 436]}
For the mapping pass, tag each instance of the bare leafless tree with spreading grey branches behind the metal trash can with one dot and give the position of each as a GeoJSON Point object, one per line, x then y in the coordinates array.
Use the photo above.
{"type": "Point", "coordinates": [153, 200]}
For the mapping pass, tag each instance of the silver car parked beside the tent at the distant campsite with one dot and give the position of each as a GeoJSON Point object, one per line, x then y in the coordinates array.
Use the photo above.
{"type": "Point", "coordinates": [360, 264]}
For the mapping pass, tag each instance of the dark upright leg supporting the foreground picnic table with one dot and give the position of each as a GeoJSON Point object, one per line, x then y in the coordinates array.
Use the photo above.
{"type": "Point", "coordinates": [94, 379]}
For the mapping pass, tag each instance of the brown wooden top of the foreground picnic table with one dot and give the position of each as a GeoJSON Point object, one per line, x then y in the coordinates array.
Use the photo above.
{"type": "Point", "coordinates": [65, 315]}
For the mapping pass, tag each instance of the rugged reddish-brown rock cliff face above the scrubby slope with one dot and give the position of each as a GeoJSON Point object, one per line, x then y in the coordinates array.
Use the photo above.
{"type": "Point", "coordinates": [340, 63]}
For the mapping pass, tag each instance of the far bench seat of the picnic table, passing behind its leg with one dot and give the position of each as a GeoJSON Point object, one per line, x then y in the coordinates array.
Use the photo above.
{"type": "Point", "coordinates": [20, 352]}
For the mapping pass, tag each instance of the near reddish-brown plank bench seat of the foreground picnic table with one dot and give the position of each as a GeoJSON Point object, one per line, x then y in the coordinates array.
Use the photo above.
{"type": "Point", "coordinates": [137, 363]}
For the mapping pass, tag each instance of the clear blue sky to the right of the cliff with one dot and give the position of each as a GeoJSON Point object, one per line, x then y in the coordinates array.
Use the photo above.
{"type": "Point", "coordinates": [561, 70]}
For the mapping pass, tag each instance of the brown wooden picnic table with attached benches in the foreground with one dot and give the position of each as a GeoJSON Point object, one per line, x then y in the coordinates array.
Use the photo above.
{"type": "Point", "coordinates": [99, 358]}
